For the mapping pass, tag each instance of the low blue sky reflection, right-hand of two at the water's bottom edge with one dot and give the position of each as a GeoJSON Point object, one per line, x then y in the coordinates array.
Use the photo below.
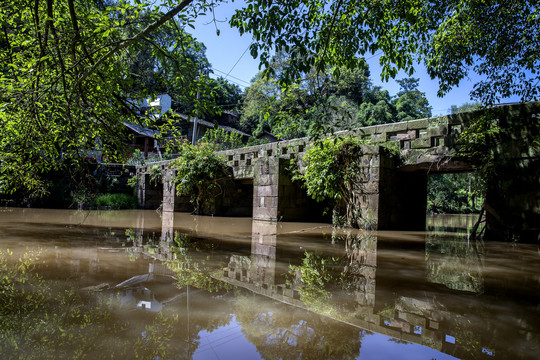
{"type": "Point", "coordinates": [377, 346]}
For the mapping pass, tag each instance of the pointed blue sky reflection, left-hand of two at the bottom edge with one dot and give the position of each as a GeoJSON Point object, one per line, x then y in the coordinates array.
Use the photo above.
{"type": "Point", "coordinates": [226, 342]}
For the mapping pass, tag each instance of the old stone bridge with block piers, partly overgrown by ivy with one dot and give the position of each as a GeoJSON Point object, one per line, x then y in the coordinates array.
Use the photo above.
{"type": "Point", "coordinates": [394, 189]}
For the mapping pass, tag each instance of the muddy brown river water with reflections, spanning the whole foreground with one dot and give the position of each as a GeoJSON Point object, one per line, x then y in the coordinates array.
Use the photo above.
{"type": "Point", "coordinates": [134, 284]}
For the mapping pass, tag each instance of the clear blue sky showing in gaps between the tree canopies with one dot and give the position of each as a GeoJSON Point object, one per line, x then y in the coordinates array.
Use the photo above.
{"type": "Point", "coordinates": [228, 53]}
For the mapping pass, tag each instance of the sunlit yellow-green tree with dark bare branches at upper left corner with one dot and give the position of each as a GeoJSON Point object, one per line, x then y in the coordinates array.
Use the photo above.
{"type": "Point", "coordinates": [67, 81]}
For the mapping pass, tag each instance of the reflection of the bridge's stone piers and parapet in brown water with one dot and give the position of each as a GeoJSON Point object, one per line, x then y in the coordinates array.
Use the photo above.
{"type": "Point", "coordinates": [413, 320]}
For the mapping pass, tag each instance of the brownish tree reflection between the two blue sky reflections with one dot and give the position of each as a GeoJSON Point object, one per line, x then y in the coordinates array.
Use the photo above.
{"type": "Point", "coordinates": [294, 333]}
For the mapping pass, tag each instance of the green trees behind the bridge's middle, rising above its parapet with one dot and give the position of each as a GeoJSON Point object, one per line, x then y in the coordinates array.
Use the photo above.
{"type": "Point", "coordinates": [327, 102]}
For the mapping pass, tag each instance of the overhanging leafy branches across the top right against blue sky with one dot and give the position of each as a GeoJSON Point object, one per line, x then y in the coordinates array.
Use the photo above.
{"type": "Point", "coordinates": [497, 39]}
